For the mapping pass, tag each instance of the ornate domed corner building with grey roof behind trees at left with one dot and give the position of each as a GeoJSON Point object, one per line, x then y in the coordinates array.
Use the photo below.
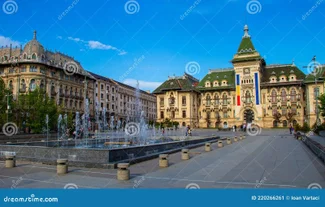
{"type": "Point", "coordinates": [24, 69]}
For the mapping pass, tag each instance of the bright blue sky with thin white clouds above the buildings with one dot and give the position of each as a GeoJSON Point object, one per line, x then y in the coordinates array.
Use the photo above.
{"type": "Point", "coordinates": [155, 42]}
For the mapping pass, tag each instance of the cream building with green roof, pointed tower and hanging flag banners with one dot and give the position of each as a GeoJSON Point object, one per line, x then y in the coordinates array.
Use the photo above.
{"type": "Point", "coordinates": [249, 92]}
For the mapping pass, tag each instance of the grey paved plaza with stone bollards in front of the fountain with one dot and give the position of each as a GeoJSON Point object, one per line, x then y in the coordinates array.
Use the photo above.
{"type": "Point", "coordinates": [272, 159]}
